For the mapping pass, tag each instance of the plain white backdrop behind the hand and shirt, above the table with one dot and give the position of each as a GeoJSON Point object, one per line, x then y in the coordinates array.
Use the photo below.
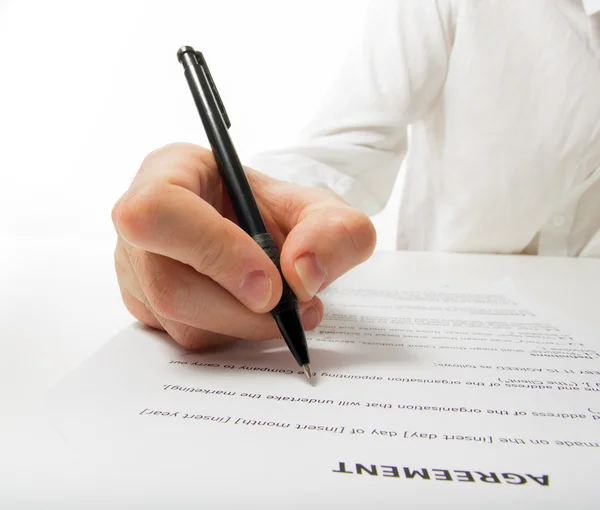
{"type": "Point", "coordinates": [89, 88]}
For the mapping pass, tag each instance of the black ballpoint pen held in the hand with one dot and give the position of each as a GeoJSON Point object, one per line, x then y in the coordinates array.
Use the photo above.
{"type": "Point", "coordinates": [216, 124]}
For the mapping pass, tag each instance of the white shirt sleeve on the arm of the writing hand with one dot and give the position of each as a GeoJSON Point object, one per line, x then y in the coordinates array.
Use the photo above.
{"type": "Point", "coordinates": [392, 75]}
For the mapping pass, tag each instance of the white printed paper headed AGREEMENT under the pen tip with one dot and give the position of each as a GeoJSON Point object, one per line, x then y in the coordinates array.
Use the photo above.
{"type": "Point", "coordinates": [422, 398]}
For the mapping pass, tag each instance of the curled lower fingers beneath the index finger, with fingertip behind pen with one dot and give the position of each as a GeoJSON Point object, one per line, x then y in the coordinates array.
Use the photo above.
{"type": "Point", "coordinates": [191, 307]}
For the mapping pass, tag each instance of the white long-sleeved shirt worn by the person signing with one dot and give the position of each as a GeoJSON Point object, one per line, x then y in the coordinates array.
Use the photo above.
{"type": "Point", "coordinates": [501, 102]}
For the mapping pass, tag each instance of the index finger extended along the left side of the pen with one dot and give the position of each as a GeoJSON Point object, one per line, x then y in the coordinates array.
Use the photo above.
{"type": "Point", "coordinates": [161, 216]}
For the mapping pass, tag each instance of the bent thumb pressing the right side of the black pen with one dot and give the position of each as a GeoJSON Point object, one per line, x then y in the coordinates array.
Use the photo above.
{"type": "Point", "coordinates": [328, 240]}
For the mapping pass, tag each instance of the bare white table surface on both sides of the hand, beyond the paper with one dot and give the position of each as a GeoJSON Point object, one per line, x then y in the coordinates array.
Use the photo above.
{"type": "Point", "coordinates": [60, 301]}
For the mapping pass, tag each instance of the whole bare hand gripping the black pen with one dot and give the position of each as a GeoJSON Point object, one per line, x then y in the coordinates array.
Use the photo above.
{"type": "Point", "coordinates": [186, 267]}
